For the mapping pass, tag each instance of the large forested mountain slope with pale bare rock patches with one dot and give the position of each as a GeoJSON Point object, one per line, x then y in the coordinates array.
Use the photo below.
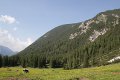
{"type": "Point", "coordinates": [90, 43]}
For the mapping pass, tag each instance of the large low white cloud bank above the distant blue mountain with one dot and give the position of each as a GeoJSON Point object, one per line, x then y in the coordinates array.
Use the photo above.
{"type": "Point", "coordinates": [8, 40]}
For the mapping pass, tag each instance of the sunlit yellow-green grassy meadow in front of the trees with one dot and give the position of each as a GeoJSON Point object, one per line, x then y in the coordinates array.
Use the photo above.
{"type": "Point", "coordinates": [109, 72]}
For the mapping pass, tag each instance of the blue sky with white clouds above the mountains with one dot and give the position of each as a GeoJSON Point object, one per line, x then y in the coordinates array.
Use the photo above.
{"type": "Point", "coordinates": [24, 21]}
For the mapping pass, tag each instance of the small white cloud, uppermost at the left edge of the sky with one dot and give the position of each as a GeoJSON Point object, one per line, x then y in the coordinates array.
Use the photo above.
{"type": "Point", "coordinates": [7, 19]}
